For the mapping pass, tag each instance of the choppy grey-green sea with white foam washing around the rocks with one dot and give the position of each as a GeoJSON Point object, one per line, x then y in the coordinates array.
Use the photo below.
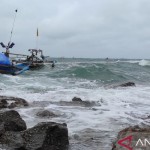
{"type": "Point", "coordinates": [94, 80]}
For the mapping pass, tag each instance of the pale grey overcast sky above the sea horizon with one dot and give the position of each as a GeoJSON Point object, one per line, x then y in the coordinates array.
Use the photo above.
{"type": "Point", "coordinates": [79, 28]}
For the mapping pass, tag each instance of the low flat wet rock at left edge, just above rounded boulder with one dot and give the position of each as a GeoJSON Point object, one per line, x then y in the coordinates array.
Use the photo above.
{"type": "Point", "coordinates": [12, 102]}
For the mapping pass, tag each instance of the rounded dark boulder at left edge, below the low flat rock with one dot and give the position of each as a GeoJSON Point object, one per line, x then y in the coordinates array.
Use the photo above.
{"type": "Point", "coordinates": [11, 121]}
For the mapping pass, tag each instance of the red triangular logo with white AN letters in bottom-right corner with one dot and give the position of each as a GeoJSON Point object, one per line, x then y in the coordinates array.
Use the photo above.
{"type": "Point", "coordinates": [126, 143]}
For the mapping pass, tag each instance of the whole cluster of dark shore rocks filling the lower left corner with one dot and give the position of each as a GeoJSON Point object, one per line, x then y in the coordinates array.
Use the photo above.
{"type": "Point", "coordinates": [14, 134]}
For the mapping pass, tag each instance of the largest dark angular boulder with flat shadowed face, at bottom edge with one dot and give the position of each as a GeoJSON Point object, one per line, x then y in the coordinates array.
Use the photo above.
{"type": "Point", "coordinates": [46, 136]}
